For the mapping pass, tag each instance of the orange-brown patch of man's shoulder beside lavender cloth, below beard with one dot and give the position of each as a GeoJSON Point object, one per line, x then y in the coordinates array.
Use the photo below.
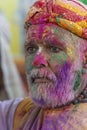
{"type": "Point", "coordinates": [22, 112]}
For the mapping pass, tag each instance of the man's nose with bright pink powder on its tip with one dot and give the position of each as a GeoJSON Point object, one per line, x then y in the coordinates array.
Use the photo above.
{"type": "Point", "coordinates": [40, 60]}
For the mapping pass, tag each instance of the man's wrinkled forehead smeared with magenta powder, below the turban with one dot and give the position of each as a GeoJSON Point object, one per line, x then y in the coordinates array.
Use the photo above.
{"type": "Point", "coordinates": [50, 32]}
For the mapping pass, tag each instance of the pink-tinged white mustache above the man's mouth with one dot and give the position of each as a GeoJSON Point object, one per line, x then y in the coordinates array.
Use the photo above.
{"type": "Point", "coordinates": [43, 73]}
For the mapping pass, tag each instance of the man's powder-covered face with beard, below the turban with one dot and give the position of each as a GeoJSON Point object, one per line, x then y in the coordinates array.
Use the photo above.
{"type": "Point", "coordinates": [53, 64]}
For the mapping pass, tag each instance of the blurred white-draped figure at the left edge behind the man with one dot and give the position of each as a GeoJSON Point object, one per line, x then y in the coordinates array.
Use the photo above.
{"type": "Point", "coordinates": [10, 82]}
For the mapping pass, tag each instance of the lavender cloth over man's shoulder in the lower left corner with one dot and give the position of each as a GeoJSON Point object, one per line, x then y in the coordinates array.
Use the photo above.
{"type": "Point", "coordinates": [7, 109]}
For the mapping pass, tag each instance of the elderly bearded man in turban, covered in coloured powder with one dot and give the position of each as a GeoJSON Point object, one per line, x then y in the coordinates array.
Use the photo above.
{"type": "Point", "coordinates": [56, 66]}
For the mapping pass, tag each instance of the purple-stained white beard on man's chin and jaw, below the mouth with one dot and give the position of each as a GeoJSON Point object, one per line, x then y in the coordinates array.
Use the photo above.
{"type": "Point", "coordinates": [49, 95]}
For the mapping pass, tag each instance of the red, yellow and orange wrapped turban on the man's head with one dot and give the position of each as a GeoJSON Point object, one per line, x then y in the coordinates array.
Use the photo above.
{"type": "Point", "coordinates": [68, 14]}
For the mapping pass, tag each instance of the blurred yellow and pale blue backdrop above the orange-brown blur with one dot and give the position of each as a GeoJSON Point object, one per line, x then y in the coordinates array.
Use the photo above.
{"type": "Point", "coordinates": [15, 11]}
